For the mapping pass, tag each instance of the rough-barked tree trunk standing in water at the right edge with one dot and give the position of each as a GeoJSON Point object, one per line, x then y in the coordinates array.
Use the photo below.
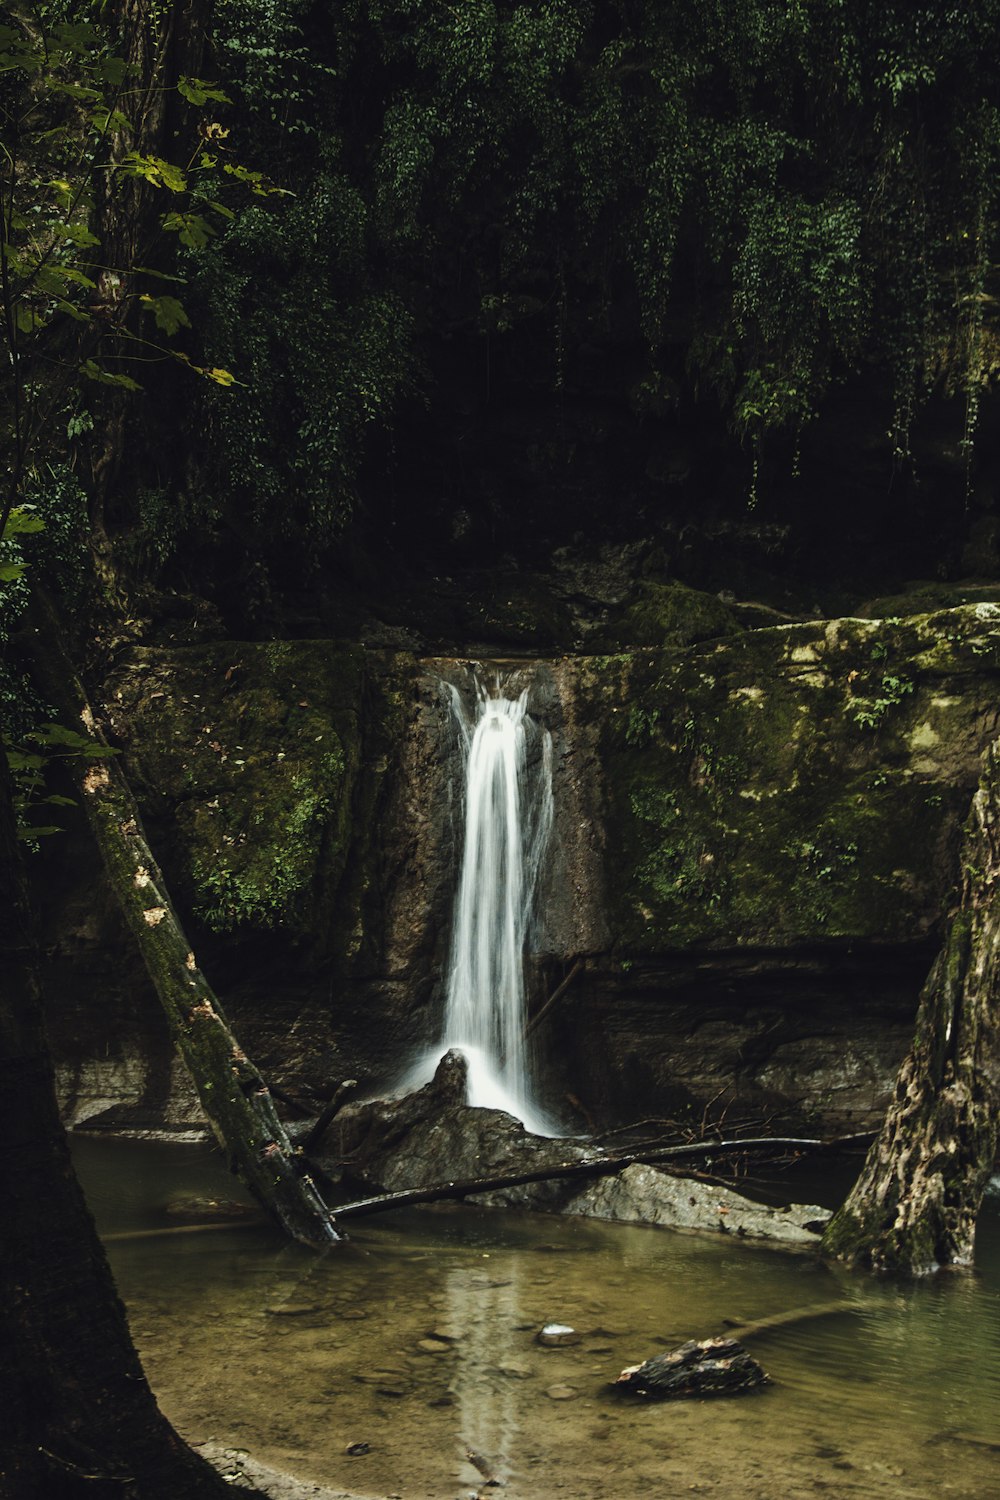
{"type": "Point", "coordinates": [915, 1204]}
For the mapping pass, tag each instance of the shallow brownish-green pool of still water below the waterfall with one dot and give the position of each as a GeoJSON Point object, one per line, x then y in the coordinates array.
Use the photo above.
{"type": "Point", "coordinates": [416, 1342]}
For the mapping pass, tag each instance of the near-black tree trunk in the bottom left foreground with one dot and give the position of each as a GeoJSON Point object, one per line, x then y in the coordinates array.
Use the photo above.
{"type": "Point", "coordinates": [79, 1417]}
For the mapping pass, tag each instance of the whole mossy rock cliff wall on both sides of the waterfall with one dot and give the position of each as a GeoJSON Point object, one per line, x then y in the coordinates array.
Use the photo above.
{"type": "Point", "coordinates": [755, 842]}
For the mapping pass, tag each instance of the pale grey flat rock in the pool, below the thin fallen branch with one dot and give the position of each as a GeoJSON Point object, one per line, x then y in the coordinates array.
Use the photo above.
{"type": "Point", "coordinates": [648, 1196]}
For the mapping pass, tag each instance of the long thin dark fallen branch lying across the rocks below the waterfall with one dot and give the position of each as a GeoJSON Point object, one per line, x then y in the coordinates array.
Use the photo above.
{"type": "Point", "coordinates": [591, 1168]}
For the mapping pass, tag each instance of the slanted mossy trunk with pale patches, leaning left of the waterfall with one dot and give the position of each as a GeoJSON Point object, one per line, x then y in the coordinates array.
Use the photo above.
{"type": "Point", "coordinates": [233, 1094]}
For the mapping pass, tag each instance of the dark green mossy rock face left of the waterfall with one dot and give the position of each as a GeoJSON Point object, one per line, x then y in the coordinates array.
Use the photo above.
{"type": "Point", "coordinates": [248, 760]}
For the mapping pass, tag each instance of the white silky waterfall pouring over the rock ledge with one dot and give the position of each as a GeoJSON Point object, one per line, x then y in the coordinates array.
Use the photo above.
{"type": "Point", "coordinates": [507, 821]}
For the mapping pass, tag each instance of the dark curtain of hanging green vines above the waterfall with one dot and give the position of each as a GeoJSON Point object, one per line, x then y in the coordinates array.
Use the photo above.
{"type": "Point", "coordinates": [756, 199]}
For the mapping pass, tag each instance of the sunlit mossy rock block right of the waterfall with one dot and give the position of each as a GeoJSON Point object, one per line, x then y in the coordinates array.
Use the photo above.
{"type": "Point", "coordinates": [794, 785]}
